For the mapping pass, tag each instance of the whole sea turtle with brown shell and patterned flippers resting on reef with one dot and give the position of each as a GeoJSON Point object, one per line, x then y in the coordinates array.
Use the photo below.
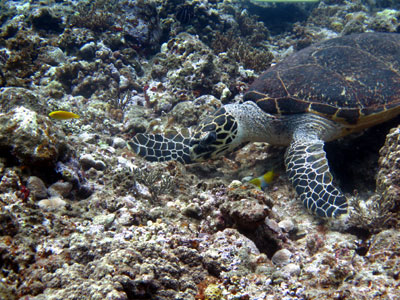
{"type": "Point", "coordinates": [318, 94]}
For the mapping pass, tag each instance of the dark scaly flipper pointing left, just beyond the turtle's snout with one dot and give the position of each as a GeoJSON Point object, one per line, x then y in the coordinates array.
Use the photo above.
{"type": "Point", "coordinates": [156, 147]}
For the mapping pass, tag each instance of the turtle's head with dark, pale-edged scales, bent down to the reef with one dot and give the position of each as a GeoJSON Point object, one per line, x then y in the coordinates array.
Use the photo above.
{"type": "Point", "coordinates": [215, 136]}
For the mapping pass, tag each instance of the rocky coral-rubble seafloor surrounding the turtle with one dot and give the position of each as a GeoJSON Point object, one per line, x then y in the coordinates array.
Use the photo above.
{"type": "Point", "coordinates": [83, 217]}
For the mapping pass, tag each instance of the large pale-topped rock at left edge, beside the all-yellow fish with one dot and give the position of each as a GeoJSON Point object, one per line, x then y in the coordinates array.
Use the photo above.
{"type": "Point", "coordinates": [30, 137]}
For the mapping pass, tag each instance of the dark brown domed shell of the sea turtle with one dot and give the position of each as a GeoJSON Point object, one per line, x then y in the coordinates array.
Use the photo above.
{"type": "Point", "coordinates": [354, 80]}
